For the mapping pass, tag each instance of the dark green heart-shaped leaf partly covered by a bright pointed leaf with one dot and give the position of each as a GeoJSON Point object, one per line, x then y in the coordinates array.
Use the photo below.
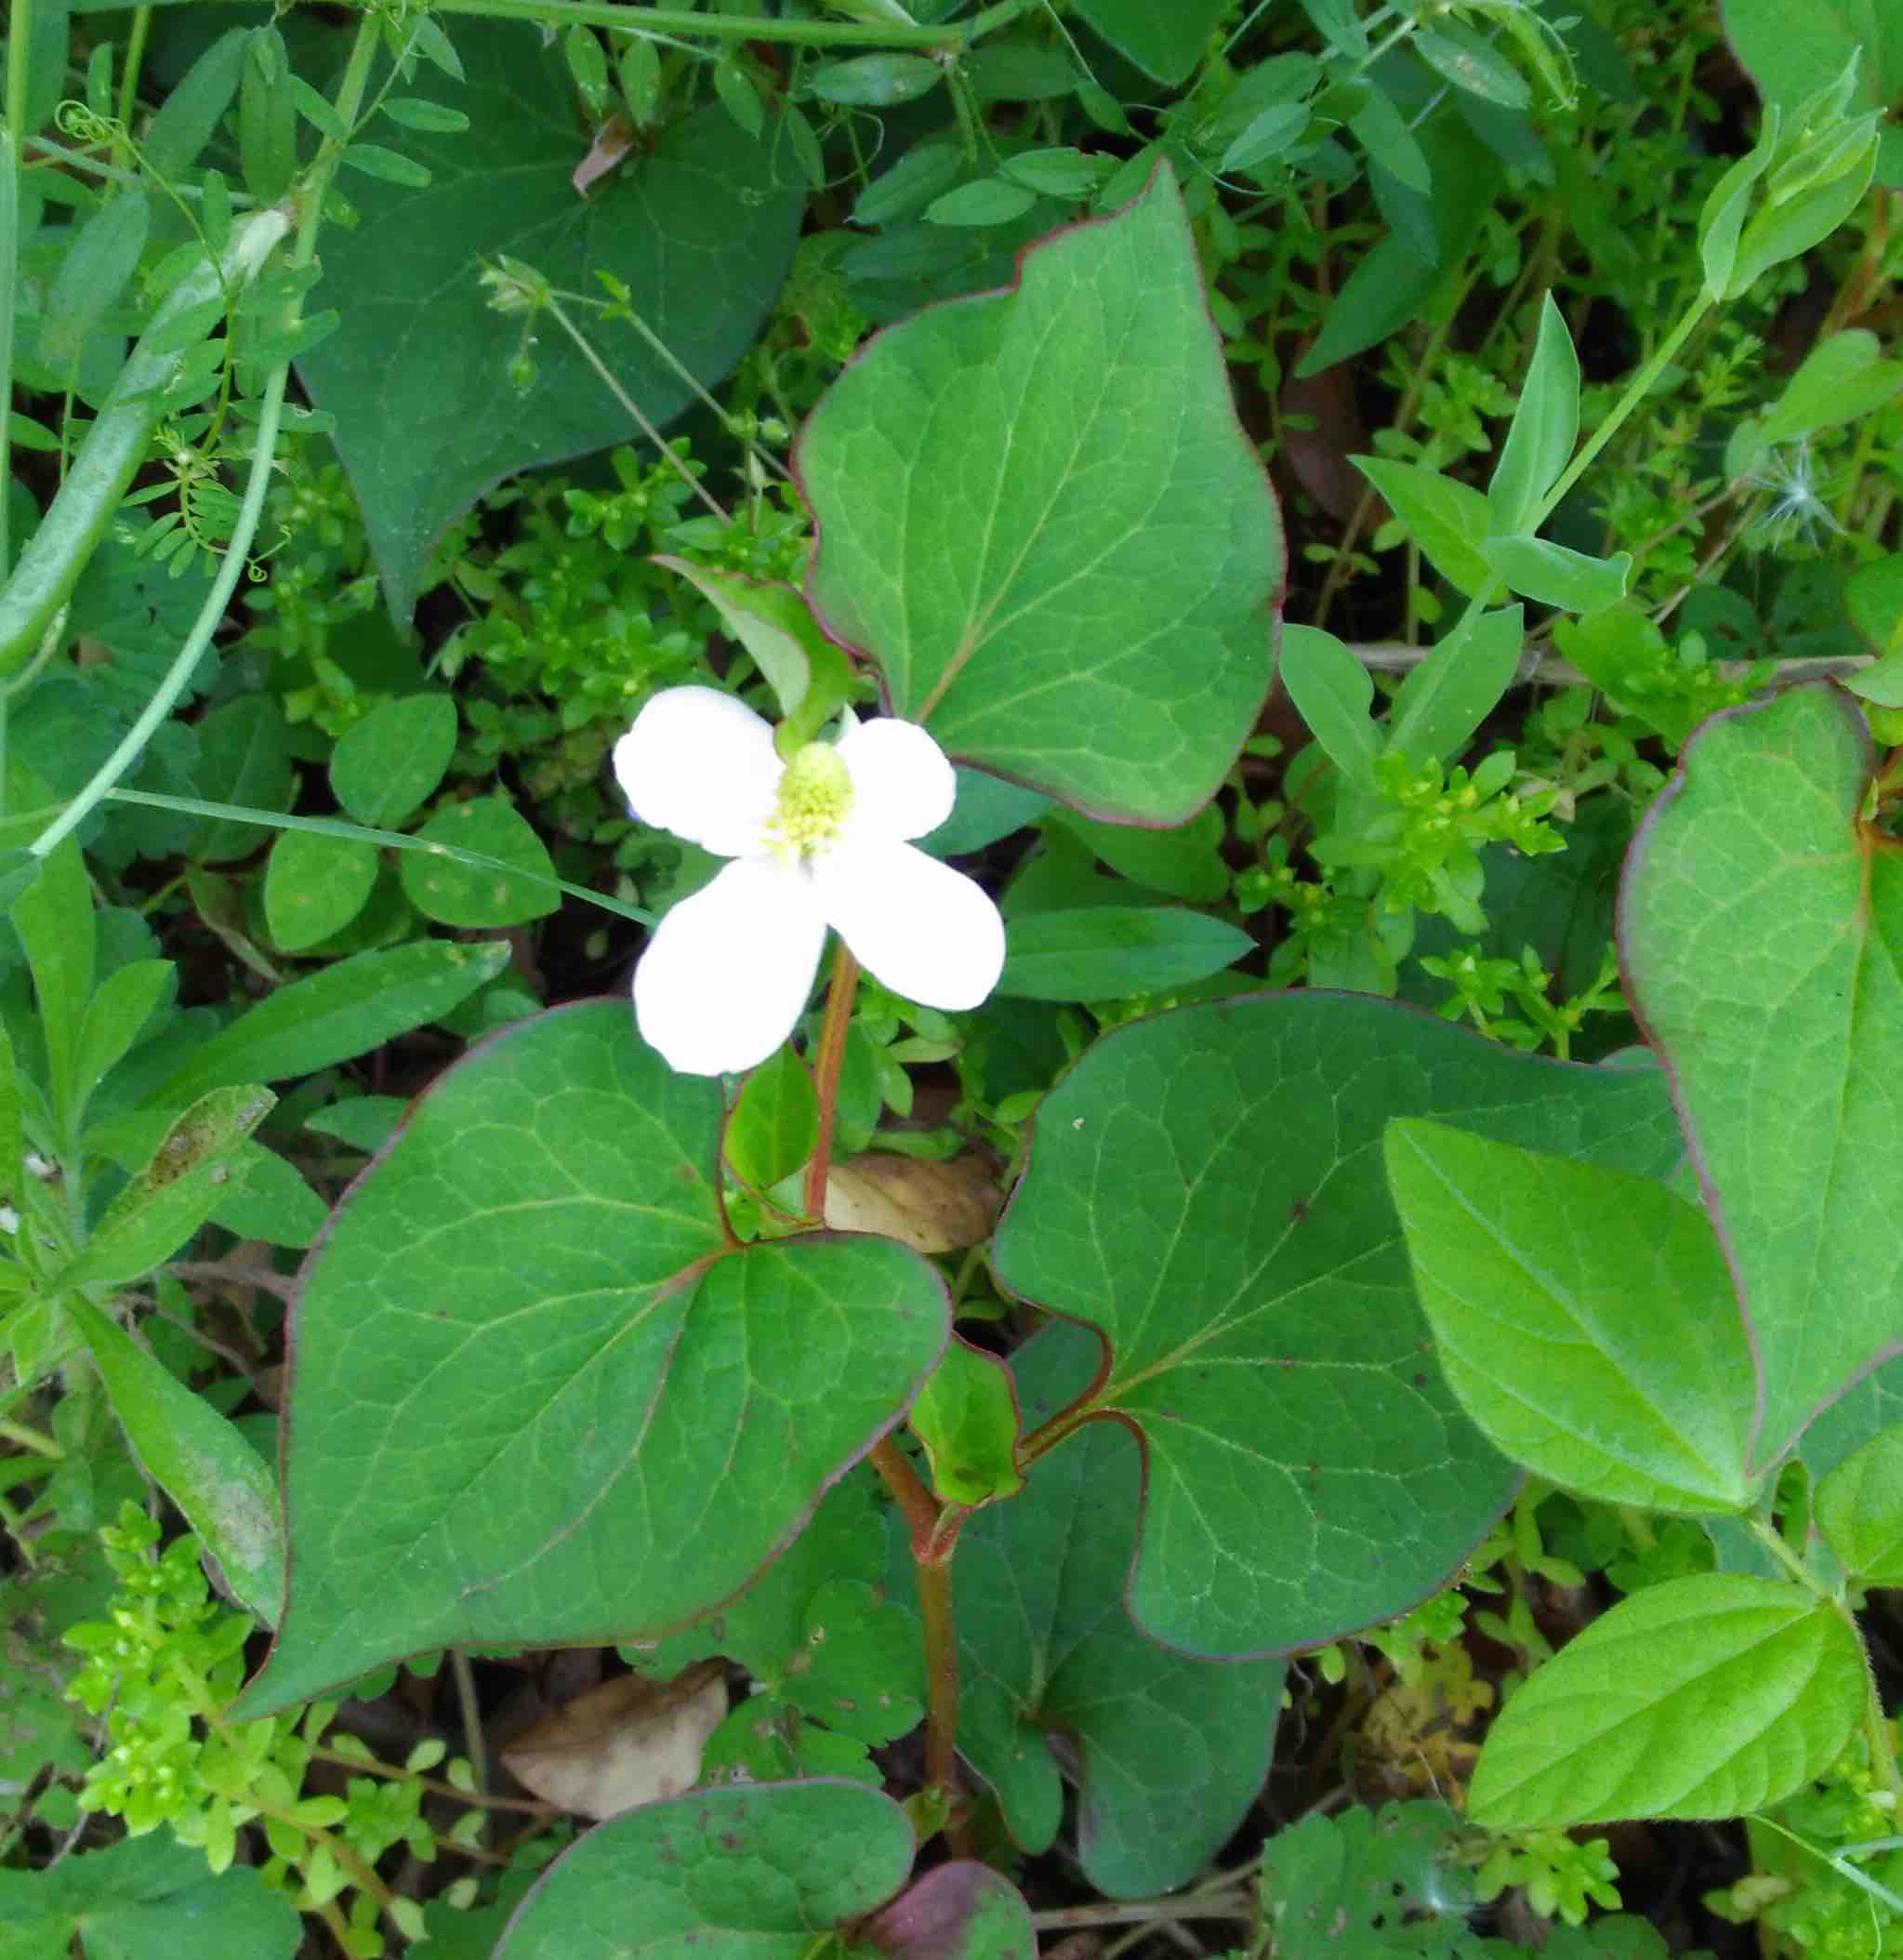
{"type": "Point", "coordinates": [1208, 1191]}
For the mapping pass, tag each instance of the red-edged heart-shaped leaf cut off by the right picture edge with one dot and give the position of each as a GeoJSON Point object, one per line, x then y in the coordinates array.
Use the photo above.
{"type": "Point", "coordinates": [1763, 932]}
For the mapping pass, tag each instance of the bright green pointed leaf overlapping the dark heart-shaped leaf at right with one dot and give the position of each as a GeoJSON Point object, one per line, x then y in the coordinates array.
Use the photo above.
{"type": "Point", "coordinates": [1585, 1320]}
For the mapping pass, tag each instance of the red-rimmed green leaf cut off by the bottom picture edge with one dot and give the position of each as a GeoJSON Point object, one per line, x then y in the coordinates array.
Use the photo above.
{"type": "Point", "coordinates": [748, 1873]}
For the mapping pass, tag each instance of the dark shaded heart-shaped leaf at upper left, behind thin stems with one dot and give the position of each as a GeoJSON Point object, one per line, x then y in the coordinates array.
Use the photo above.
{"type": "Point", "coordinates": [701, 228]}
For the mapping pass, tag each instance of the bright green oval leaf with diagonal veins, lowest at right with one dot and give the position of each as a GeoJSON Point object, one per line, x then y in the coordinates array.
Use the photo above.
{"type": "Point", "coordinates": [1698, 1698]}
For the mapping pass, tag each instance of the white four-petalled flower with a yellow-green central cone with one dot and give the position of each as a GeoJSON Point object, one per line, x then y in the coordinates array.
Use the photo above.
{"type": "Point", "coordinates": [816, 844]}
